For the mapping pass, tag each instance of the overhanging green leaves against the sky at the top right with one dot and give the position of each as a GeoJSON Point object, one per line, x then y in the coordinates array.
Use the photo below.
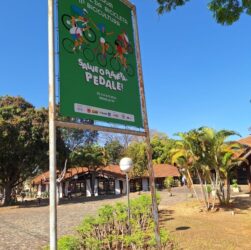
{"type": "Point", "coordinates": [224, 11]}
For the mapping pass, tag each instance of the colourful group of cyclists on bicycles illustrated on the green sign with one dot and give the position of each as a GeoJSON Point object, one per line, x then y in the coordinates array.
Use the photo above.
{"type": "Point", "coordinates": [94, 45]}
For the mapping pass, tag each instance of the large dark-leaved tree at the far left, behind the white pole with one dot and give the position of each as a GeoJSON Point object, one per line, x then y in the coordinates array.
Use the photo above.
{"type": "Point", "coordinates": [24, 142]}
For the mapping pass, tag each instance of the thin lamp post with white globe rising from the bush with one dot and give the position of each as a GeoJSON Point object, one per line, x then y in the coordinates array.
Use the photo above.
{"type": "Point", "coordinates": [126, 165]}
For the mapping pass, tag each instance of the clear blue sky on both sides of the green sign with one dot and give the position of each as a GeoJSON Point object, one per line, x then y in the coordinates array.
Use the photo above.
{"type": "Point", "coordinates": [196, 72]}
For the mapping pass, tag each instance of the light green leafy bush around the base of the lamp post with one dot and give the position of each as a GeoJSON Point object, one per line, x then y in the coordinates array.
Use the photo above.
{"type": "Point", "coordinates": [109, 230]}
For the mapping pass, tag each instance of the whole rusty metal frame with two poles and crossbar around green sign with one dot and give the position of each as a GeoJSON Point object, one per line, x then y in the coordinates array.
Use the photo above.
{"type": "Point", "coordinates": [53, 123]}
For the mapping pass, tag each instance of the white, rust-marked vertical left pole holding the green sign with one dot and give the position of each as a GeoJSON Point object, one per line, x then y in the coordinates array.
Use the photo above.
{"type": "Point", "coordinates": [52, 128]}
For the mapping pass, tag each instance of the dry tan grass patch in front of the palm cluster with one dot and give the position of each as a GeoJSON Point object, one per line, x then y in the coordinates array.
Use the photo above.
{"type": "Point", "coordinates": [196, 230]}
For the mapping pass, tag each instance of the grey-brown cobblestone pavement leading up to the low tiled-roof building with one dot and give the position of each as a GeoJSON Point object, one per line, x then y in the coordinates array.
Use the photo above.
{"type": "Point", "coordinates": [28, 227]}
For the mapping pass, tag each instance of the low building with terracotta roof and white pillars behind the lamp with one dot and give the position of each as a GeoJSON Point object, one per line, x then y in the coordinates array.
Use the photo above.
{"type": "Point", "coordinates": [108, 180]}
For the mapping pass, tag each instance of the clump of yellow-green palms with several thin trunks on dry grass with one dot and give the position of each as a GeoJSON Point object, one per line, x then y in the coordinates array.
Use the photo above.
{"type": "Point", "coordinates": [210, 156]}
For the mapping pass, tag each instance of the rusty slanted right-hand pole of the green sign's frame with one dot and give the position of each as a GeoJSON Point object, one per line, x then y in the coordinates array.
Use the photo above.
{"type": "Point", "coordinates": [149, 149]}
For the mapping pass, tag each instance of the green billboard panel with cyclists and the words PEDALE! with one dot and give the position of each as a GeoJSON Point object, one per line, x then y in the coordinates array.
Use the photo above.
{"type": "Point", "coordinates": [97, 61]}
